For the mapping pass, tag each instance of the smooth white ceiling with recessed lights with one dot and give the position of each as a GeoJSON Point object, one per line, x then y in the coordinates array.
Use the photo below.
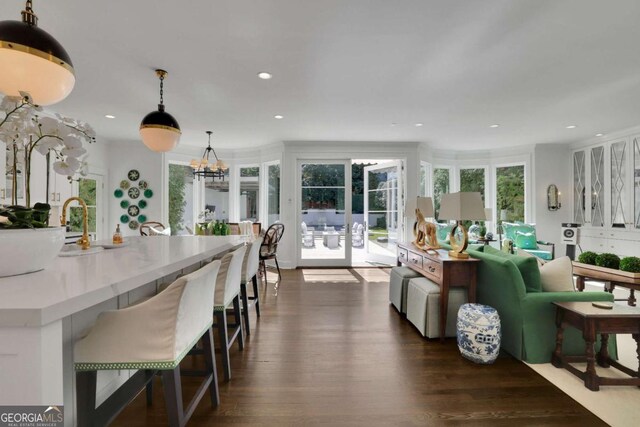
{"type": "Point", "coordinates": [345, 70]}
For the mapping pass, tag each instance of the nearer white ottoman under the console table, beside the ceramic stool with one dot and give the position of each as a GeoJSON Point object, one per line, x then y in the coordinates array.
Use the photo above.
{"type": "Point", "coordinates": [423, 307]}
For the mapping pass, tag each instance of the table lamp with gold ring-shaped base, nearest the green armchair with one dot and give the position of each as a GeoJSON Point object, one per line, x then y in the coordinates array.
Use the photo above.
{"type": "Point", "coordinates": [459, 207]}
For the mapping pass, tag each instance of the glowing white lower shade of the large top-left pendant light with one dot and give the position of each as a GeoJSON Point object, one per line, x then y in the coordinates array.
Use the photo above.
{"type": "Point", "coordinates": [47, 82]}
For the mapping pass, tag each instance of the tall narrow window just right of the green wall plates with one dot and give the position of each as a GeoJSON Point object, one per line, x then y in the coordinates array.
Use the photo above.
{"type": "Point", "coordinates": [181, 203]}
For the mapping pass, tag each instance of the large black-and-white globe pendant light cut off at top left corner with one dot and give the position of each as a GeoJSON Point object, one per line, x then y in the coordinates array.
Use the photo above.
{"type": "Point", "coordinates": [32, 61]}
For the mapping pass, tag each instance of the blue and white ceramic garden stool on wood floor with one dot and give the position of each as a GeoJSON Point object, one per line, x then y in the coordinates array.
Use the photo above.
{"type": "Point", "coordinates": [478, 331]}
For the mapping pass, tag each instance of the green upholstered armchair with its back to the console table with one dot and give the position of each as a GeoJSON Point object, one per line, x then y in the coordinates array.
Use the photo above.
{"type": "Point", "coordinates": [511, 285]}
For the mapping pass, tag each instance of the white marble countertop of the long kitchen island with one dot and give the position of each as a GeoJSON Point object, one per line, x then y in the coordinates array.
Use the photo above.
{"type": "Point", "coordinates": [73, 284]}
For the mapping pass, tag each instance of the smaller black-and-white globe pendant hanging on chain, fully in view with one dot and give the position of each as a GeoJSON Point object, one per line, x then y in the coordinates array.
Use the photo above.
{"type": "Point", "coordinates": [159, 130]}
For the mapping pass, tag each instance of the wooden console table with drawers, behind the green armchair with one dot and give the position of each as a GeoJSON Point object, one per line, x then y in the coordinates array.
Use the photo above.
{"type": "Point", "coordinates": [444, 271]}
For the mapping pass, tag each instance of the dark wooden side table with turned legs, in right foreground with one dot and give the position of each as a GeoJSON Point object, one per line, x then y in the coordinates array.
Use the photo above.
{"type": "Point", "coordinates": [591, 321]}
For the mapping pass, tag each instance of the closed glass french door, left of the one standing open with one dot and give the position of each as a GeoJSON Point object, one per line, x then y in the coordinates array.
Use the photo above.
{"type": "Point", "coordinates": [324, 213]}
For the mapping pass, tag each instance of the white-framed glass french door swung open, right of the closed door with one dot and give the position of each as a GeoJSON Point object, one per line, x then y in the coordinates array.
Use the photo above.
{"type": "Point", "coordinates": [382, 204]}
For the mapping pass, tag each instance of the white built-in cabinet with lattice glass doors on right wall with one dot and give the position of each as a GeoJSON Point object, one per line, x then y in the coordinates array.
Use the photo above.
{"type": "Point", "coordinates": [606, 196]}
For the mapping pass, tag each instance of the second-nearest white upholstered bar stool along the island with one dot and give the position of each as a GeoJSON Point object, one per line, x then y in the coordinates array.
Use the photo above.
{"type": "Point", "coordinates": [228, 295]}
